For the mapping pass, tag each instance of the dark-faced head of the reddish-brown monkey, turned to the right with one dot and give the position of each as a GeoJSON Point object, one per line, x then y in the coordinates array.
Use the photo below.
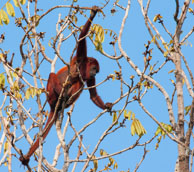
{"type": "Point", "coordinates": [92, 67]}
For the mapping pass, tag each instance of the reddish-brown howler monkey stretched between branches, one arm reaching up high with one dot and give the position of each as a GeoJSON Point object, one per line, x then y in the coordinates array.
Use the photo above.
{"type": "Point", "coordinates": [82, 69]}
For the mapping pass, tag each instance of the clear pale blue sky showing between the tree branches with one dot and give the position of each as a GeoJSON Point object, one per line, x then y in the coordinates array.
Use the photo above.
{"type": "Point", "coordinates": [134, 37]}
